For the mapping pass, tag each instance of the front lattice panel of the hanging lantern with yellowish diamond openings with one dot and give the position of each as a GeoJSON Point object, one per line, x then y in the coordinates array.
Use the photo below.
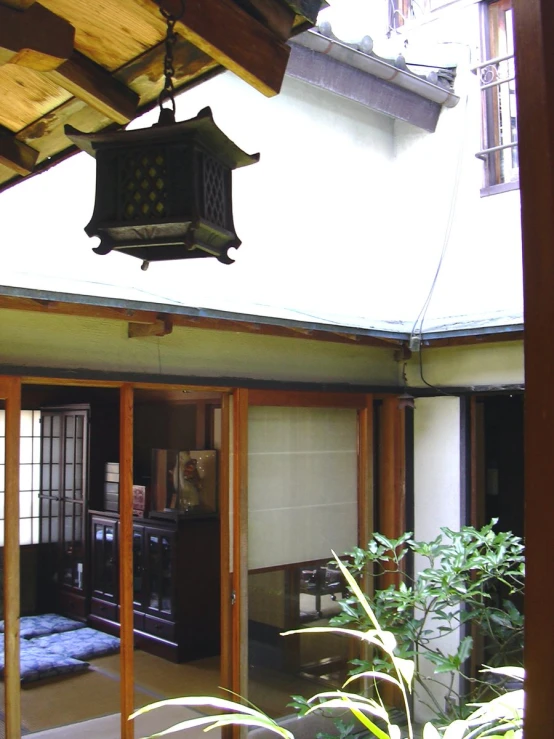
{"type": "Point", "coordinates": [144, 178]}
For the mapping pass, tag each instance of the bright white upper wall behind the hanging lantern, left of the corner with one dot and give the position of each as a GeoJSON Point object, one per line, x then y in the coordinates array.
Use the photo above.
{"type": "Point", "coordinates": [310, 213]}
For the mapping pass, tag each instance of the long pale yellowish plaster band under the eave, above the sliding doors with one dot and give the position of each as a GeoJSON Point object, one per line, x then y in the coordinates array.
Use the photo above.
{"type": "Point", "coordinates": [68, 342]}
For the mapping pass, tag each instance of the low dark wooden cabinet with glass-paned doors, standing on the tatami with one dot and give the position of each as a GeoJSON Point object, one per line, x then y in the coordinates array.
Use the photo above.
{"type": "Point", "coordinates": [175, 584]}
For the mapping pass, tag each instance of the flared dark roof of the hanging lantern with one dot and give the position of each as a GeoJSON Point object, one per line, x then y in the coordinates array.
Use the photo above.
{"type": "Point", "coordinates": [202, 129]}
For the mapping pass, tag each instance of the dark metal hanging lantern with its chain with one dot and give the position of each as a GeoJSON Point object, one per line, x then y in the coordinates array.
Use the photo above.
{"type": "Point", "coordinates": [164, 192]}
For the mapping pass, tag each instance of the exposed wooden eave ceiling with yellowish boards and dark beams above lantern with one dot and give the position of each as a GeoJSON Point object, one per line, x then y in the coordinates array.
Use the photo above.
{"type": "Point", "coordinates": [99, 63]}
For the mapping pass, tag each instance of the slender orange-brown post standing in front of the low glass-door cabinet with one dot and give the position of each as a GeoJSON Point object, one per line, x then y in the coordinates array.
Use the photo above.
{"type": "Point", "coordinates": [126, 557]}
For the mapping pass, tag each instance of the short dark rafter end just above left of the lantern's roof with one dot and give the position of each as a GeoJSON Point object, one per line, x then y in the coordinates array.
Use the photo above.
{"type": "Point", "coordinates": [94, 86]}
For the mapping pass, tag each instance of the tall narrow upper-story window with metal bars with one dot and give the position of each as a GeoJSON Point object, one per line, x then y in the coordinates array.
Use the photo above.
{"type": "Point", "coordinates": [498, 91]}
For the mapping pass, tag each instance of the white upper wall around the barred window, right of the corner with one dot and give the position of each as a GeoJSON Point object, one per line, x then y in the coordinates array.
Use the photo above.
{"type": "Point", "coordinates": [439, 182]}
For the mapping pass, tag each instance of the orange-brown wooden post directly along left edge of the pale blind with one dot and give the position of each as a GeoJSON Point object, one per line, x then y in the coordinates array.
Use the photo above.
{"type": "Point", "coordinates": [240, 542]}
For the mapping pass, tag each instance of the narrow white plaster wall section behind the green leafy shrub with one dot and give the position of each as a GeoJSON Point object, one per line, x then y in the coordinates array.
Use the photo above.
{"type": "Point", "coordinates": [437, 492]}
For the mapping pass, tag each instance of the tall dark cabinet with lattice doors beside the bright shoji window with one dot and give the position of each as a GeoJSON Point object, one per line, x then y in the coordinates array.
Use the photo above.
{"type": "Point", "coordinates": [63, 496]}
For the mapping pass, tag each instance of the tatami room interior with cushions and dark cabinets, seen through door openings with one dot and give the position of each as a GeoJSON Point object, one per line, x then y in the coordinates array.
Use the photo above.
{"type": "Point", "coordinates": [69, 554]}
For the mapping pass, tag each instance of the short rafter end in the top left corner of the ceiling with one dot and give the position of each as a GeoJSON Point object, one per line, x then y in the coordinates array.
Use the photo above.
{"type": "Point", "coordinates": [37, 39]}
